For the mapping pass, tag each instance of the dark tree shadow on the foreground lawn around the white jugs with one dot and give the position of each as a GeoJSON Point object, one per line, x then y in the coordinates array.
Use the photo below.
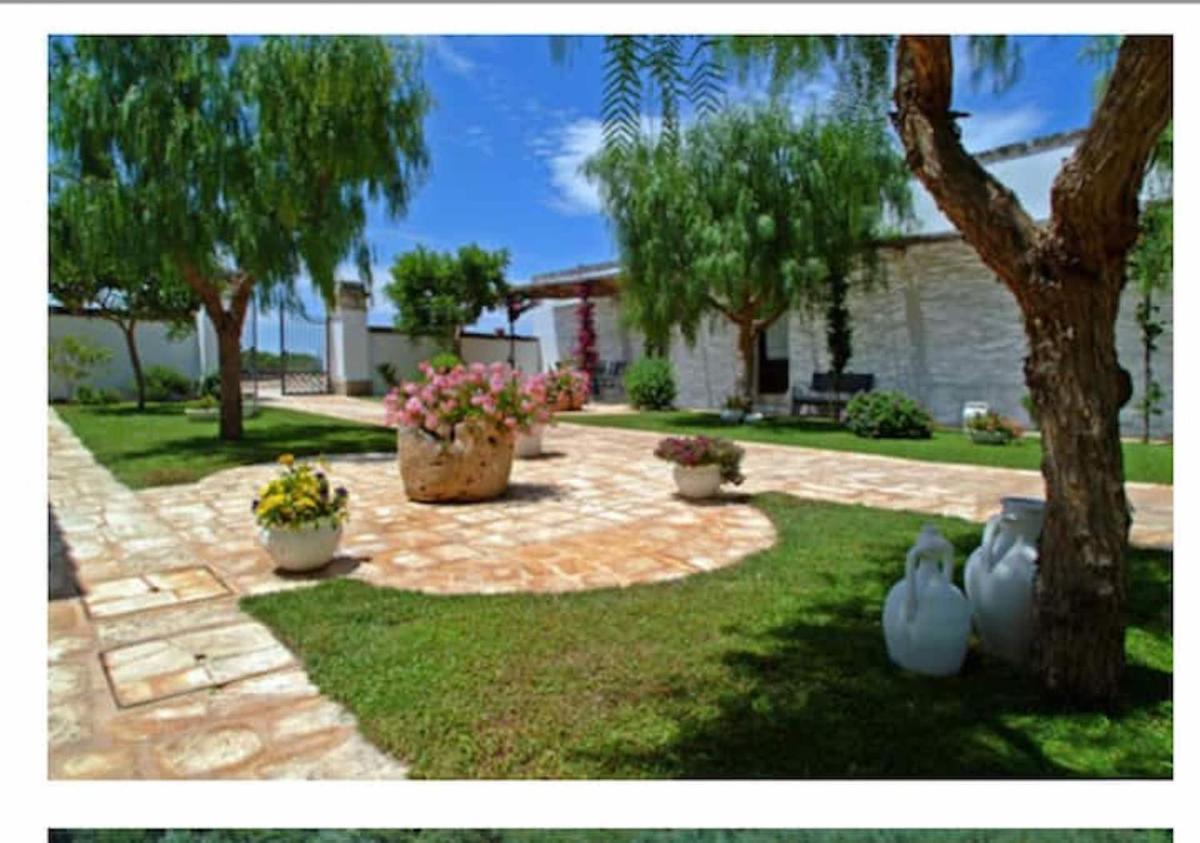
{"type": "Point", "coordinates": [817, 697]}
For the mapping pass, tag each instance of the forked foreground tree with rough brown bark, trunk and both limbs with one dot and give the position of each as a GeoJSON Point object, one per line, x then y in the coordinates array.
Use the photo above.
{"type": "Point", "coordinates": [1067, 278]}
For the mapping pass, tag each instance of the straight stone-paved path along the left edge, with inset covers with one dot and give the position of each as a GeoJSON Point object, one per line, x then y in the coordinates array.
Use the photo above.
{"type": "Point", "coordinates": [245, 710]}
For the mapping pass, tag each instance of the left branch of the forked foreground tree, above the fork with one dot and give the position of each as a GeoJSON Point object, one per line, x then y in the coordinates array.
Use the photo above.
{"type": "Point", "coordinates": [986, 212]}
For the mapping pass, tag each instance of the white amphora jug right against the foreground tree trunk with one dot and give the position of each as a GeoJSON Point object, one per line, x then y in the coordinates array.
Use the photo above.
{"type": "Point", "coordinates": [1000, 577]}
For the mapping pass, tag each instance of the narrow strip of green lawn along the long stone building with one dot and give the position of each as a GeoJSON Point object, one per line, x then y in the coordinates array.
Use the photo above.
{"type": "Point", "coordinates": [1144, 463]}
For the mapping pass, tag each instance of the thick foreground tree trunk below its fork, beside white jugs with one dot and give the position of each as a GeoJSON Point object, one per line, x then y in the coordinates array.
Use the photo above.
{"type": "Point", "coordinates": [1079, 390]}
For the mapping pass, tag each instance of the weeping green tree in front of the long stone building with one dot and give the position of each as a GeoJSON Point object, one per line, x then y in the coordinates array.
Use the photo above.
{"type": "Point", "coordinates": [711, 226]}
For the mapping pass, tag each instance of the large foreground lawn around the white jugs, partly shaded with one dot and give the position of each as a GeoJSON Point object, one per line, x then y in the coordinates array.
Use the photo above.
{"type": "Point", "coordinates": [772, 668]}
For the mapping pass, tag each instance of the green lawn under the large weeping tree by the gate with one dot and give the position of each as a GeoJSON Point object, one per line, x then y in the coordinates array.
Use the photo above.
{"type": "Point", "coordinates": [161, 446]}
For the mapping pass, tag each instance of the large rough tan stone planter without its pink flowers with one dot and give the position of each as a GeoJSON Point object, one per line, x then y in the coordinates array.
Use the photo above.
{"type": "Point", "coordinates": [475, 467]}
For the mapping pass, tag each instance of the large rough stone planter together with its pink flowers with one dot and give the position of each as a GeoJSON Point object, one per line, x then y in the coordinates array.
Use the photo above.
{"type": "Point", "coordinates": [457, 431]}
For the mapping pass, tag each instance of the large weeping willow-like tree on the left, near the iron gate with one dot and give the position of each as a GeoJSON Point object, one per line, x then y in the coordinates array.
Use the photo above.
{"type": "Point", "coordinates": [238, 169]}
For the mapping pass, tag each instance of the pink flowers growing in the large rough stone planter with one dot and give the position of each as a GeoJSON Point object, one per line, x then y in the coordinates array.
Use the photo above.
{"type": "Point", "coordinates": [440, 400]}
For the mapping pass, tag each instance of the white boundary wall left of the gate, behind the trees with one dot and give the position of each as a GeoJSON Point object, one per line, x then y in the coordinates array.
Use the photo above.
{"type": "Point", "coordinates": [154, 350]}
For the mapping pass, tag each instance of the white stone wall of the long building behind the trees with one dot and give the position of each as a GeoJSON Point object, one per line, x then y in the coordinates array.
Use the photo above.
{"type": "Point", "coordinates": [943, 330]}
